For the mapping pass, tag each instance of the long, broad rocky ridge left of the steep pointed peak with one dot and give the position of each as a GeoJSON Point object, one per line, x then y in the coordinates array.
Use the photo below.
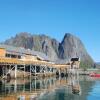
{"type": "Point", "coordinates": [40, 43]}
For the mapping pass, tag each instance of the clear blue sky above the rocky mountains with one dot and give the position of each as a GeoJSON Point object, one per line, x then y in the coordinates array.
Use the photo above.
{"type": "Point", "coordinates": [53, 18]}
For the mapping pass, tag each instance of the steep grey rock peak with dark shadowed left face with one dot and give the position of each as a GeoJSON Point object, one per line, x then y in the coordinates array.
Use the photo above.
{"type": "Point", "coordinates": [71, 46]}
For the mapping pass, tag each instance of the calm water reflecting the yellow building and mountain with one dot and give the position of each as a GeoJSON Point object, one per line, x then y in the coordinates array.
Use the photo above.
{"type": "Point", "coordinates": [52, 88]}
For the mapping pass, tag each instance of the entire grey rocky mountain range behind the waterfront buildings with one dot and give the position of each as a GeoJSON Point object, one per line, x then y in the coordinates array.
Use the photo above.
{"type": "Point", "coordinates": [70, 46]}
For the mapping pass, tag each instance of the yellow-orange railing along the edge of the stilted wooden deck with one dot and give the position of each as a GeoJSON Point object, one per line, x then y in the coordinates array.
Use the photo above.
{"type": "Point", "coordinates": [6, 60]}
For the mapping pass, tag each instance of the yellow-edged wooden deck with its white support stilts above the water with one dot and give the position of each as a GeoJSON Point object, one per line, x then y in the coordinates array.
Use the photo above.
{"type": "Point", "coordinates": [33, 65]}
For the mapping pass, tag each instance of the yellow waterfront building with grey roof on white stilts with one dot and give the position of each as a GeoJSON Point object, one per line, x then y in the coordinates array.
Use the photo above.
{"type": "Point", "coordinates": [20, 63]}
